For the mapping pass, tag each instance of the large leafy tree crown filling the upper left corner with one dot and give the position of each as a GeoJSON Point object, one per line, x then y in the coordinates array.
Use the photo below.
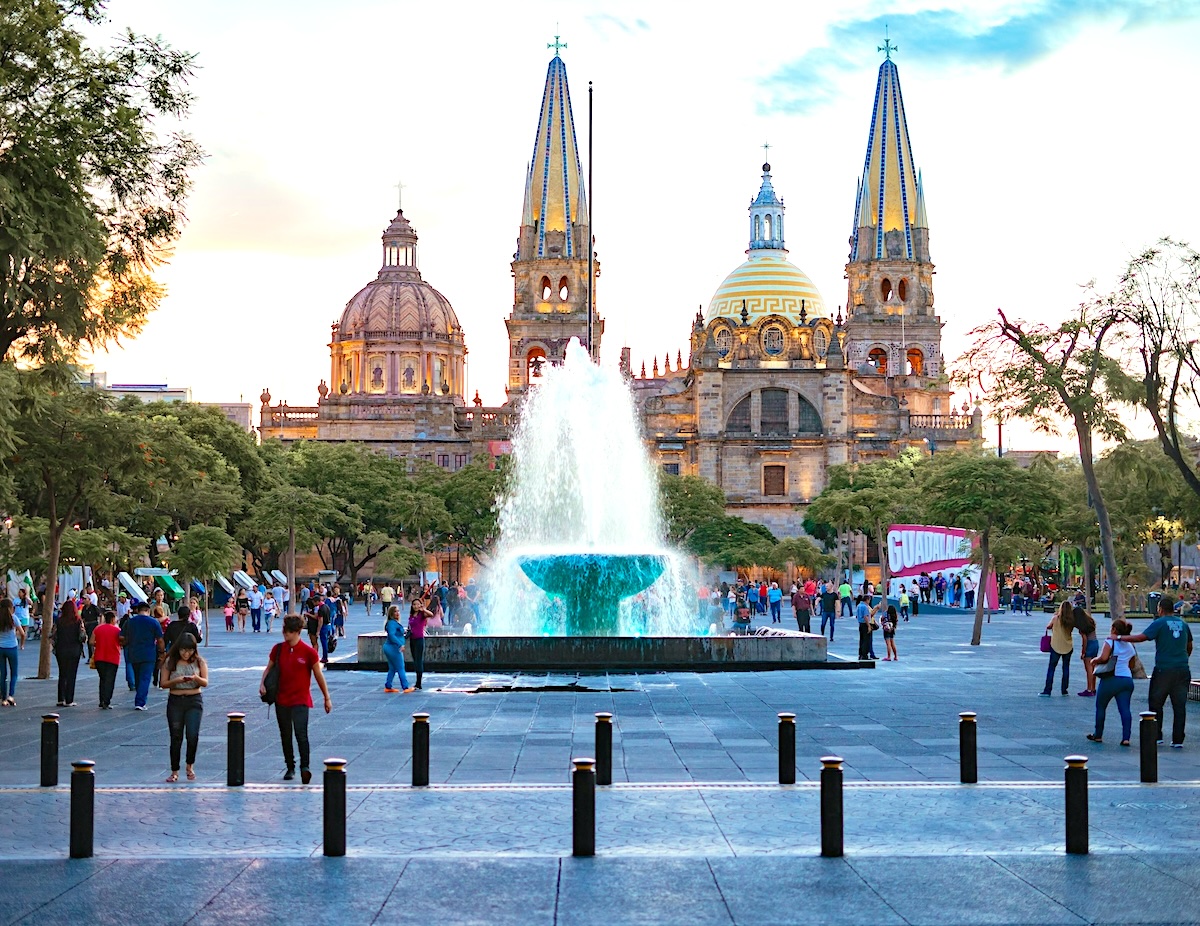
{"type": "Point", "coordinates": [92, 182]}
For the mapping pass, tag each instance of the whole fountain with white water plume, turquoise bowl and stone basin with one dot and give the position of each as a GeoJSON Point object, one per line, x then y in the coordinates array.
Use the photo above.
{"type": "Point", "coordinates": [583, 578]}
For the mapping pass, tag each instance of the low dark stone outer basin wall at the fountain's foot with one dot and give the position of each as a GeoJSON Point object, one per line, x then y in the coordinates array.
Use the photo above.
{"type": "Point", "coordinates": [464, 653]}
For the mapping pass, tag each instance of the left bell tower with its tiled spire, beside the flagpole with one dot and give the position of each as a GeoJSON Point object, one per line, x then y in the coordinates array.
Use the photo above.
{"type": "Point", "coordinates": [550, 268]}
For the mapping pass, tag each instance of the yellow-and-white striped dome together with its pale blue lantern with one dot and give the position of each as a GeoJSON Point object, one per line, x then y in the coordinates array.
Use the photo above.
{"type": "Point", "coordinates": [767, 284]}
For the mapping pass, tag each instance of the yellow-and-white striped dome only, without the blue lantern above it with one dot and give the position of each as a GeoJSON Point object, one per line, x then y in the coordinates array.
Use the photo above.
{"type": "Point", "coordinates": [771, 285]}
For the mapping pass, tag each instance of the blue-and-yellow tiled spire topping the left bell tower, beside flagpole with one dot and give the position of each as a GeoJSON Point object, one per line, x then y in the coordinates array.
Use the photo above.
{"type": "Point", "coordinates": [556, 199]}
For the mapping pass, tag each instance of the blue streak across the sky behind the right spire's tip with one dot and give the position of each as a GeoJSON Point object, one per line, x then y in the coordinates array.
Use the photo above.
{"type": "Point", "coordinates": [1011, 40]}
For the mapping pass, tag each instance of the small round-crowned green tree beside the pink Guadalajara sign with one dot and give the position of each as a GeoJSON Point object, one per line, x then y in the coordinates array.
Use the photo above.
{"type": "Point", "coordinates": [962, 491]}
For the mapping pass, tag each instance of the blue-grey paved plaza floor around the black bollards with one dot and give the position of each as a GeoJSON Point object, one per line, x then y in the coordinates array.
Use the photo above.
{"type": "Point", "coordinates": [694, 832]}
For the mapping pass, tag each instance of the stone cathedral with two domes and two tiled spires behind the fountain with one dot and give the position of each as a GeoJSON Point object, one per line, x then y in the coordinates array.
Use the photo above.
{"type": "Point", "coordinates": [776, 390]}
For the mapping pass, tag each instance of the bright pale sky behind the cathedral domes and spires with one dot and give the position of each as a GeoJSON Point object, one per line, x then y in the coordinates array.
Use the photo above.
{"type": "Point", "coordinates": [1055, 137]}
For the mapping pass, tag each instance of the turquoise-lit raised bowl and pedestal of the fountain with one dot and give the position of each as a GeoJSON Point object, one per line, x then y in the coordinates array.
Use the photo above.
{"type": "Point", "coordinates": [593, 585]}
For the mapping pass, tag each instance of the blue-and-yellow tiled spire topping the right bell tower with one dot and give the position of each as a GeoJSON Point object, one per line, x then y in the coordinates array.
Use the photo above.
{"type": "Point", "coordinates": [890, 208]}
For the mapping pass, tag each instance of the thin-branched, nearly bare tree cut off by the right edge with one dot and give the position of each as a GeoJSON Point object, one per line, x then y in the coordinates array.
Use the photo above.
{"type": "Point", "coordinates": [1159, 300]}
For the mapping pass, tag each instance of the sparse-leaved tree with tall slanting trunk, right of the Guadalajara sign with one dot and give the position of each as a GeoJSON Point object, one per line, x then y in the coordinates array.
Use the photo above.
{"type": "Point", "coordinates": [1048, 376]}
